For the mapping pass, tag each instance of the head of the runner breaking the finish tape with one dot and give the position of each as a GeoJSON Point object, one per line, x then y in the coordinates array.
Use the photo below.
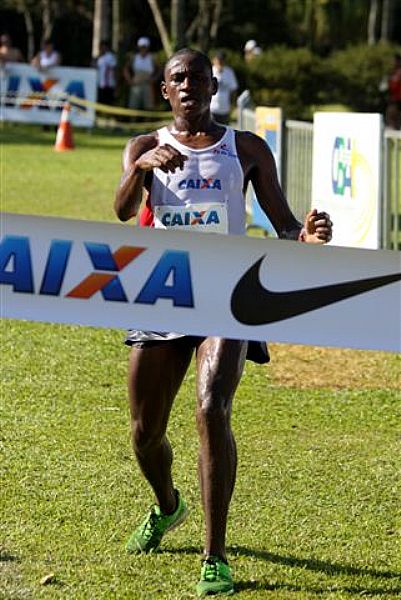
{"type": "Point", "coordinates": [189, 85]}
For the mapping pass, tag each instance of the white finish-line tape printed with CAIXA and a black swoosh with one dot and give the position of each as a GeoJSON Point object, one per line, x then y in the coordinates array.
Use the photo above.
{"type": "Point", "coordinates": [111, 275]}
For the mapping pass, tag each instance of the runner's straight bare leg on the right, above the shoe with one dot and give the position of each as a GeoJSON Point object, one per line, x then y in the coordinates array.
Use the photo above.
{"type": "Point", "coordinates": [220, 364]}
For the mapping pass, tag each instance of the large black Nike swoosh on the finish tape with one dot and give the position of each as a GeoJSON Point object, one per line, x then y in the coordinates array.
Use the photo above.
{"type": "Point", "coordinates": [252, 304]}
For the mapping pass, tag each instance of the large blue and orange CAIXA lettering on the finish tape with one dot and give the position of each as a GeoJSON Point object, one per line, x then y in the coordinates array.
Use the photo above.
{"type": "Point", "coordinates": [170, 277]}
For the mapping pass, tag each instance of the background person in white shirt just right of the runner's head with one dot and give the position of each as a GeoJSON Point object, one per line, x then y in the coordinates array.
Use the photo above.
{"type": "Point", "coordinates": [222, 101]}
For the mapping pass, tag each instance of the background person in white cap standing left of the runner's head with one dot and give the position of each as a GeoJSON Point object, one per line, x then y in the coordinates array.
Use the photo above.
{"type": "Point", "coordinates": [139, 73]}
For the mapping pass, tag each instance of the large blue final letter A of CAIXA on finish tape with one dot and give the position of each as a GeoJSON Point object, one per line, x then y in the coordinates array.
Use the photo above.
{"type": "Point", "coordinates": [176, 264]}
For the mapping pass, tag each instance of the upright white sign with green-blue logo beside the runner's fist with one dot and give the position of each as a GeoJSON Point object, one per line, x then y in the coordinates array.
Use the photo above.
{"type": "Point", "coordinates": [346, 175]}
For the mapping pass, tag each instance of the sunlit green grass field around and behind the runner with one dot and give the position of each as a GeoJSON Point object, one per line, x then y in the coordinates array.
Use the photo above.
{"type": "Point", "coordinates": [316, 512]}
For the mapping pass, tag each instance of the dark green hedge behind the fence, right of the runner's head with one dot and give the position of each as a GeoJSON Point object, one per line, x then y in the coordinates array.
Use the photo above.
{"type": "Point", "coordinates": [299, 80]}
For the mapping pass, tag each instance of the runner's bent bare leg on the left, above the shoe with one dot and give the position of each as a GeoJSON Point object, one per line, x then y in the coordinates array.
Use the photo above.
{"type": "Point", "coordinates": [155, 375]}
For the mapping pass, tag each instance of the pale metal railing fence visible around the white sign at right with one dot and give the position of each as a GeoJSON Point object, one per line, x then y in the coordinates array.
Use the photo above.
{"type": "Point", "coordinates": [297, 173]}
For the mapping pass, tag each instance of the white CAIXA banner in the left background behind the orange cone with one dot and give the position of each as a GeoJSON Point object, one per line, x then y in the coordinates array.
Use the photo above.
{"type": "Point", "coordinates": [32, 96]}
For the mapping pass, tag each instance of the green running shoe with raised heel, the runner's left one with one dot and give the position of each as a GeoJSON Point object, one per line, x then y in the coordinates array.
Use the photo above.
{"type": "Point", "coordinates": [149, 534]}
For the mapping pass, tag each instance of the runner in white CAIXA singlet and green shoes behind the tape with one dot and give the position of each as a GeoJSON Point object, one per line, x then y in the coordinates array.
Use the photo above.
{"type": "Point", "coordinates": [195, 162]}
